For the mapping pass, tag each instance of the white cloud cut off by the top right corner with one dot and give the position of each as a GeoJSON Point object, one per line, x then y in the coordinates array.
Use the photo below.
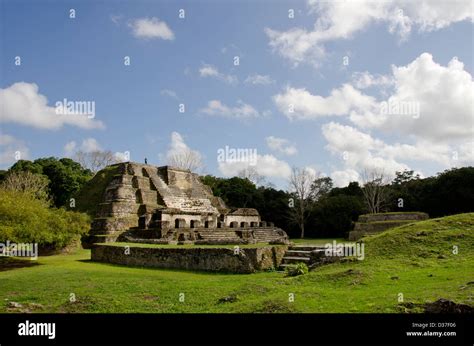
{"type": "Point", "coordinates": [342, 19]}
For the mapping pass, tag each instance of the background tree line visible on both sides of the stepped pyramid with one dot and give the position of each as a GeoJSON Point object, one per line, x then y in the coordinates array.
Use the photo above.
{"type": "Point", "coordinates": [310, 207]}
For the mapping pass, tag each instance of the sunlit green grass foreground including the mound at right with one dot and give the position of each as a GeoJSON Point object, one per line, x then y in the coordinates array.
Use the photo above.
{"type": "Point", "coordinates": [416, 260]}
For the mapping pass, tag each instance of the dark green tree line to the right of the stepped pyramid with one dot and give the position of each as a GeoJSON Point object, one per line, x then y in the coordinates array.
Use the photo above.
{"type": "Point", "coordinates": [312, 207]}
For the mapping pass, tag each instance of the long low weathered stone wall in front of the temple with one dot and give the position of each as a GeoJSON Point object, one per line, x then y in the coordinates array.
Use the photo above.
{"type": "Point", "coordinates": [246, 260]}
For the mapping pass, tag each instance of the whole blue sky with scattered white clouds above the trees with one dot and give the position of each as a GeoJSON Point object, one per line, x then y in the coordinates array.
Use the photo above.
{"type": "Point", "coordinates": [394, 50]}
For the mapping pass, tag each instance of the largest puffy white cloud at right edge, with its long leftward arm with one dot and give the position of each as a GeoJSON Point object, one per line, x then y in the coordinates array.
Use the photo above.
{"type": "Point", "coordinates": [426, 100]}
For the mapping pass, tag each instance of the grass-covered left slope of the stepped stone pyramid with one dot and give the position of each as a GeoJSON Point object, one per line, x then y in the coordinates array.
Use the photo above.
{"type": "Point", "coordinates": [88, 199]}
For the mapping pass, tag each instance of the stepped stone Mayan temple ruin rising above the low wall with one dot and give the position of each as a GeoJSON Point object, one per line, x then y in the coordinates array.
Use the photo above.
{"type": "Point", "coordinates": [166, 205]}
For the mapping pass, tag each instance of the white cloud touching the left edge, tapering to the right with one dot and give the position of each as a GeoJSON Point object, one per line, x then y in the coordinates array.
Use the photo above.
{"type": "Point", "coordinates": [23, 104]}
